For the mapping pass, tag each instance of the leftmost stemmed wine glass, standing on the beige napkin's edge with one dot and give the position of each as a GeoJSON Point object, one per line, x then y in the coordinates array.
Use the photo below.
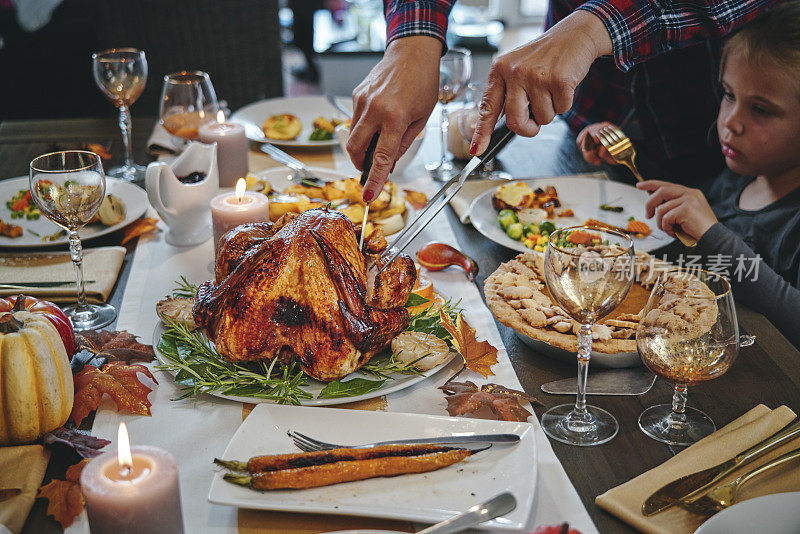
{"type": "Point", "coordinates": [68, 187]}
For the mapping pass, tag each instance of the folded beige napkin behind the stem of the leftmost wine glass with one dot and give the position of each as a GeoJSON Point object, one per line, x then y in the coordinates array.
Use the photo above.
{"type": "Point", "coordinates": [100, 270]}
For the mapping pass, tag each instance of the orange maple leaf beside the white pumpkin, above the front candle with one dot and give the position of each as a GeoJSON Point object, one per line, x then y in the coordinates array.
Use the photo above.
{"type": "Point", "coordinates": [117, 380]}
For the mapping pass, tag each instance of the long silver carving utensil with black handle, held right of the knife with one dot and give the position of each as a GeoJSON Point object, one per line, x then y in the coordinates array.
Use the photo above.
{"type": "Point", "coordinates": [500, 138]}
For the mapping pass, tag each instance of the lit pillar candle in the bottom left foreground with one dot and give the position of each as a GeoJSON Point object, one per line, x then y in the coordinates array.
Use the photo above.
{"type": "Point", "coordinates": [132, 491]}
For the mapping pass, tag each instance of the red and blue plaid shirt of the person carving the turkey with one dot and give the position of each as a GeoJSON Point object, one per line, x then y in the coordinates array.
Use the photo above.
{"type": "Point", "coordinates": [661, 83]}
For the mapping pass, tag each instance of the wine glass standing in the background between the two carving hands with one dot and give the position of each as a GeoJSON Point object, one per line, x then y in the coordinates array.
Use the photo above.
{"type": "Point", "coordinates": [455, 68]}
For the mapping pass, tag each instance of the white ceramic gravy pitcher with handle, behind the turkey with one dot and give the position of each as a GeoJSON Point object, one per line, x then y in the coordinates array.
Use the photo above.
{"type": "Point", "coordinates": [185, 208]}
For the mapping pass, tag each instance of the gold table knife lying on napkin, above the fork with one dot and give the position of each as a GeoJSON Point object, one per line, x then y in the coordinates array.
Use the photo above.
{"type": "Point", "coordinates": [692, 485]}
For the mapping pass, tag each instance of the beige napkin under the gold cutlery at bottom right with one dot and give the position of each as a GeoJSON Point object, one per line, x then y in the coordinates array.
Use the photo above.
{"type": "Point", "coordinates": [625, 501]}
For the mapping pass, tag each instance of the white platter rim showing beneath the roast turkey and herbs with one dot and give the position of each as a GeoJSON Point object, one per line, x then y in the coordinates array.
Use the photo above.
{"type": "Point", "coordinates": [315, 386]}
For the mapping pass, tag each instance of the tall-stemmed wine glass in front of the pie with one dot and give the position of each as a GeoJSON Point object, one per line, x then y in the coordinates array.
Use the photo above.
{"type": "Point", "coordinates": [587, 282]}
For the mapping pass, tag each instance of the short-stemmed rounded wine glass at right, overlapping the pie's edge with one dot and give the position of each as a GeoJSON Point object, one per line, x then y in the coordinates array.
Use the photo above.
{"type": "Point", "coordinates": [688, 334]}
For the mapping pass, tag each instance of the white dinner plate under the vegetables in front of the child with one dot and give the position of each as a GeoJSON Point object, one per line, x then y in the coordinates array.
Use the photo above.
{"type": "Point", "coordinates": [584, 197]}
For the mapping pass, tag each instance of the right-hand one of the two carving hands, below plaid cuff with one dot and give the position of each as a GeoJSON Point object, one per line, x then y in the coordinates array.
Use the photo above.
{"type": "Point", "coordinates": [536, 81]}
